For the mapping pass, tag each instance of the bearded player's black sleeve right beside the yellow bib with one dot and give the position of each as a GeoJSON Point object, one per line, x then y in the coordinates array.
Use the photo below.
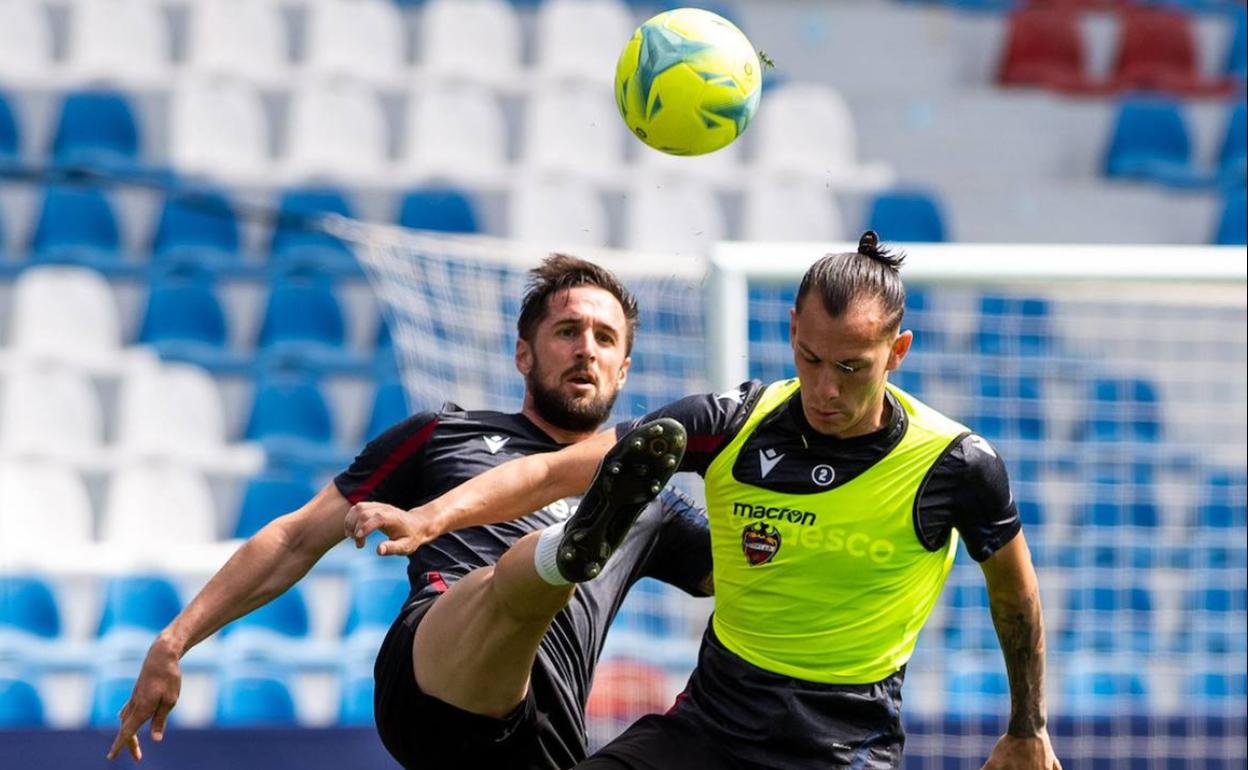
{"type": "Point", "coordinates": [682, 556]}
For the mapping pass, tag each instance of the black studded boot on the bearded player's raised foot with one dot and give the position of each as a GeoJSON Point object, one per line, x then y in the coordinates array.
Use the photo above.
{"type": "Point", "coordinates": [631, 476]}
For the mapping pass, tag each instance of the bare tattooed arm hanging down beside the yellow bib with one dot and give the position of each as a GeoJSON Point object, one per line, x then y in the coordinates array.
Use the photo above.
{"type": "Point", "coordinates": [1014, 597]}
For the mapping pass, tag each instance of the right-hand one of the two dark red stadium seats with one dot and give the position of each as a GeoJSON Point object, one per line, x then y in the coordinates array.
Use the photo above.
{"type": "Point", "coordinates": [1159, 52]}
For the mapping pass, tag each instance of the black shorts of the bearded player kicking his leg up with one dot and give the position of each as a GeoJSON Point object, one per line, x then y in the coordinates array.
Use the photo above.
{"type": "Point", "coordinates": [424, 733]}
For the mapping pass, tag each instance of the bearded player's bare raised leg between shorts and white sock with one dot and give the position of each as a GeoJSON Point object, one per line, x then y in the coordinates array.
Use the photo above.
{"type": "Point", "coordinates": [477, 645]}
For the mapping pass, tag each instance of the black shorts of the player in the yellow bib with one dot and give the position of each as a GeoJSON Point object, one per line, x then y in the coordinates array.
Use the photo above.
{"type": "Point", "coordinates": [738, 717]}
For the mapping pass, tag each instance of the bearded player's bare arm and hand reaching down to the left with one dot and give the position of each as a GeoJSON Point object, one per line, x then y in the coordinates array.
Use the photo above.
{"type": "Point", "coordinates": [263, 568]}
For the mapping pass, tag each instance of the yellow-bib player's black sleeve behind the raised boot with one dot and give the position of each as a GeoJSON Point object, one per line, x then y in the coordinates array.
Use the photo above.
{"type": "Point", "coordinates": [711, 420]}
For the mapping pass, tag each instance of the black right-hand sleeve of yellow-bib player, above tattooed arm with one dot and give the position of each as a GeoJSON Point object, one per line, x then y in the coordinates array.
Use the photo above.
{"type": "Point", "coordinates": [969, 490]}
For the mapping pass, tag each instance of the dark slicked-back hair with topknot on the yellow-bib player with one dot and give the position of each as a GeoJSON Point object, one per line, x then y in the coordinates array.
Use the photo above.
{"type": "Point", "coordinates": [870, 273]}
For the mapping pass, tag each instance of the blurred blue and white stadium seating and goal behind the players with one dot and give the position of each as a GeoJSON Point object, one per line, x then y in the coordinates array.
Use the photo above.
{"type": "Point", "coordinates": [184, 356]}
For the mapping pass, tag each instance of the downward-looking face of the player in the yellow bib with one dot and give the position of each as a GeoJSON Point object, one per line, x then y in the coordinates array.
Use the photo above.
{"type": "Point", "coordinates": [843, 365]}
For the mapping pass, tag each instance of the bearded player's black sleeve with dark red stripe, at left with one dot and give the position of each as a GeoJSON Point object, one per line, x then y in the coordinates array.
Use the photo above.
{"type": "Point", "coordinates": [390, 467]}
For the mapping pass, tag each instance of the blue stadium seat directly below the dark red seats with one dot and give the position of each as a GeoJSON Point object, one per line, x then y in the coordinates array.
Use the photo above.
{"type": "Point", "coordinates": [1151, 143]}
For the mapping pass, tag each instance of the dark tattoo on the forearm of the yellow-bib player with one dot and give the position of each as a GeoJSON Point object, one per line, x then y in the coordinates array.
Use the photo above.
{"type": "Point", "coordinates": [1021, 632]}
